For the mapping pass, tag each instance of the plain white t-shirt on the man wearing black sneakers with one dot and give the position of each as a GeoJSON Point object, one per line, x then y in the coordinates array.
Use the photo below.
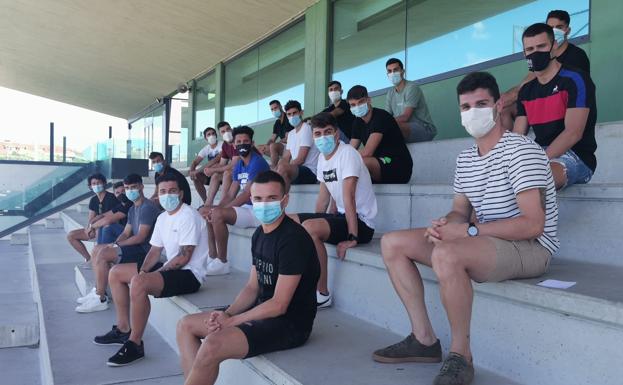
{"type": "Point", "coordinates": [185, 227]}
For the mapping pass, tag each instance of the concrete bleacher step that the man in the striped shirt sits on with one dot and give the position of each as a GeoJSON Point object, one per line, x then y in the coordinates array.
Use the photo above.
{"type": "Point", "coordinates": [531, 334]}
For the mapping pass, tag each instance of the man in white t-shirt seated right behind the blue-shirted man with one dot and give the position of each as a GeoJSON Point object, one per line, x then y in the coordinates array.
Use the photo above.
{"type": "Point", "coordinates": [298, 165]}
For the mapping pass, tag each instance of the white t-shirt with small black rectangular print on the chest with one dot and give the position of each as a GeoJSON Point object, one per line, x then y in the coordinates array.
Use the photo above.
{"type": "Point", "coordinates": [344, 163]}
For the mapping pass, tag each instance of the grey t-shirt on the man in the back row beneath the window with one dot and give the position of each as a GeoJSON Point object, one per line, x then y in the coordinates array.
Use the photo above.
{"type": "Point", "coordinates": [410, 96]}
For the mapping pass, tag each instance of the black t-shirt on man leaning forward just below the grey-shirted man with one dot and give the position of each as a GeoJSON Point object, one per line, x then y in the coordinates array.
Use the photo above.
{"type": "Point", "coordinates": [393, 143]}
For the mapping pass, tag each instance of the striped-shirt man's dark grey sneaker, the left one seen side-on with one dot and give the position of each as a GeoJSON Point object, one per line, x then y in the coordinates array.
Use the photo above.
{"type": "Point", "coordinates": [408, 350]}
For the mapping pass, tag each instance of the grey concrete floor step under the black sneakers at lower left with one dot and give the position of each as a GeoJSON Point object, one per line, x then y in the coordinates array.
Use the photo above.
{"type": "Point", "coordinates": [73, 358]}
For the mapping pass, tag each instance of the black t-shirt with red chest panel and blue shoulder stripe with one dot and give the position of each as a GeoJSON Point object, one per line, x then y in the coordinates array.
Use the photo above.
{"type": "Point", "coordinates": [545, 106]}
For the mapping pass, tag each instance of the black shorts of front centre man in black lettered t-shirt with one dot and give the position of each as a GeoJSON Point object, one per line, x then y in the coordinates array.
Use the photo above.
{"type": "Point", "coordinates": [272, 334]}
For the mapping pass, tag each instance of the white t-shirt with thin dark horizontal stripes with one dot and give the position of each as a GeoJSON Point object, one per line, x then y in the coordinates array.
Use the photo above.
{"type": "Point", "coordinates": [492, 182]}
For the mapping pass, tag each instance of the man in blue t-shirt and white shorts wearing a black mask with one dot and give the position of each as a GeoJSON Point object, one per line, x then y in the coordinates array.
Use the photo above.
{"type": "Point", "coordinates": [235, 206]}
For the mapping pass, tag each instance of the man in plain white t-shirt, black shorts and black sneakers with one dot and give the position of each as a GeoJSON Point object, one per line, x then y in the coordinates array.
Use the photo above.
{"type": "Point", "coordinates": [181, 232]}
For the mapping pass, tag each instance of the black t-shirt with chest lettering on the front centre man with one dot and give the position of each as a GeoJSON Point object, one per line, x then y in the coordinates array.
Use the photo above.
{"type": "Point", "coordinates": [288, 250]}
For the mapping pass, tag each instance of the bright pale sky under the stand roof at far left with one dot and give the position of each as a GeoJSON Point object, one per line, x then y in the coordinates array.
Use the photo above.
{"type": "Point", "coordinates": [26, 119]}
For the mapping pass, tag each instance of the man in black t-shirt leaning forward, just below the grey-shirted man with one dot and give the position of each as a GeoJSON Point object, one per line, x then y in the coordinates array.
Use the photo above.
{"type": "Point", "coordinates": [382, 146]}
